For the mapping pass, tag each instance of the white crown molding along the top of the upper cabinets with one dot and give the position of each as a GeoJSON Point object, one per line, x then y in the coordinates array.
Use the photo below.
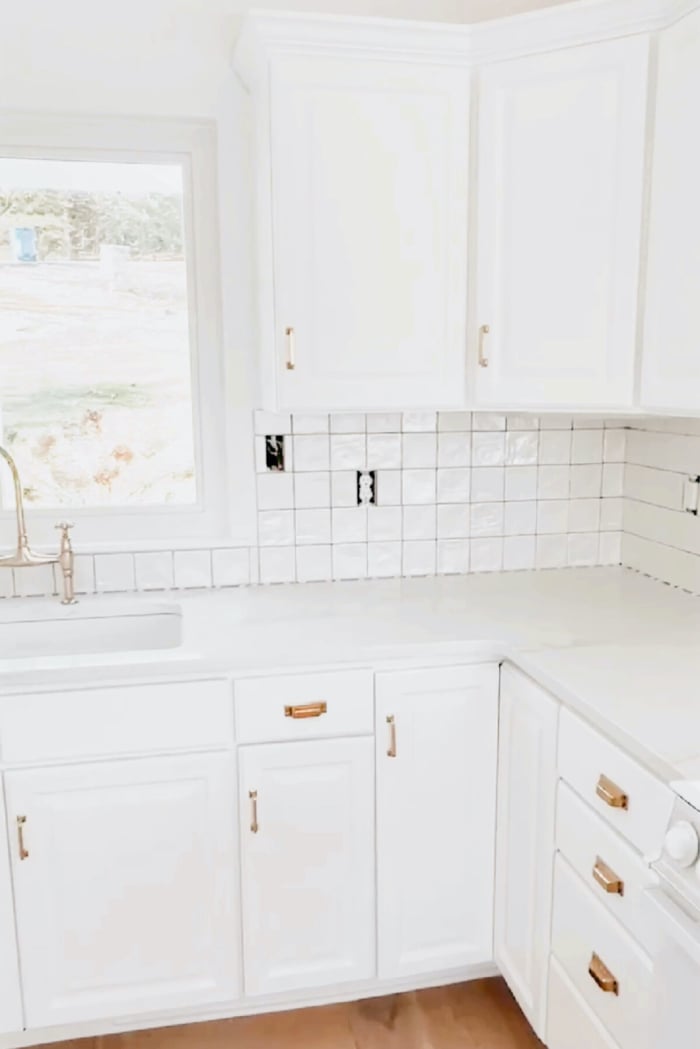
{"type": "Point", "coordinates": [270, 34]}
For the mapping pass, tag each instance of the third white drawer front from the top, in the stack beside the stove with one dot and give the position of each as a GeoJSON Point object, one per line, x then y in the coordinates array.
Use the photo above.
{"type": "Point", "coordinates": [582, 928]}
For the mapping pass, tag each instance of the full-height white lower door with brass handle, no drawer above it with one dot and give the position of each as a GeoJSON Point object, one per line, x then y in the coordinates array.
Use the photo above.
{"type": "Point", "coordinates": [436, 812]}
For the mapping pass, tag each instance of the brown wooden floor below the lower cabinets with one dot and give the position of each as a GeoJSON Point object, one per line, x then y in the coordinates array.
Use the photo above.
{"type": "Point", "coordinates": [475, 1016]}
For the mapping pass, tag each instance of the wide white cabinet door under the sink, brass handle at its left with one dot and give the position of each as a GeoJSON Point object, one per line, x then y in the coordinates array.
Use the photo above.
{"type": "Point", "coordinates": [125, 896]}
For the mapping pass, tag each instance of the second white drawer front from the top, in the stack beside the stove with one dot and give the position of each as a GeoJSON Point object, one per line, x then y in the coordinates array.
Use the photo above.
{"type": "Point", "coordinates": [601, 857]}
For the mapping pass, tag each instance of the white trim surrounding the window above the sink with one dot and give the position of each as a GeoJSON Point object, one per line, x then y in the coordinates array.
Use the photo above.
{"type": "Point", "coordinates": [194, 145]}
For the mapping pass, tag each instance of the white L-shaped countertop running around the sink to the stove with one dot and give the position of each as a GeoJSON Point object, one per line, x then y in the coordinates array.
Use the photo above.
{"type": "Point", "coordinates": [620, 649]}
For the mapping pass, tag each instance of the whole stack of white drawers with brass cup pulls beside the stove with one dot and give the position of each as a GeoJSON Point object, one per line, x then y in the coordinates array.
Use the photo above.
{"type": "Point", "coordinates": [611, 815]}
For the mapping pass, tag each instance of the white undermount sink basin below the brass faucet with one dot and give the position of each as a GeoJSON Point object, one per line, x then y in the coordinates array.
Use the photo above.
{"type": "Point", "coordinates": [43, 628]}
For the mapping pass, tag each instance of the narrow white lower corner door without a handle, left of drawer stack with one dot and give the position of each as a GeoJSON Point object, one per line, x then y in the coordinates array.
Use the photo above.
{"type": "Point", "coordinates": [525, 852]}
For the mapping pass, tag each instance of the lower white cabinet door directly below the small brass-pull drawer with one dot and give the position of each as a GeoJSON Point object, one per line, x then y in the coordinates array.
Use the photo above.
{"type": "Point", "coordinates": [308, 827]}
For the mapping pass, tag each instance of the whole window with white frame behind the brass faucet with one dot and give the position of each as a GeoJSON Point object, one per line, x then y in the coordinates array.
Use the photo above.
{"type": "Point", "coordinates": [111, 371]}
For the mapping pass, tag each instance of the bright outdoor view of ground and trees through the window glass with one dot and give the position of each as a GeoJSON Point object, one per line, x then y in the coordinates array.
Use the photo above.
{"type": "Point", "coordinates": [95, 350]}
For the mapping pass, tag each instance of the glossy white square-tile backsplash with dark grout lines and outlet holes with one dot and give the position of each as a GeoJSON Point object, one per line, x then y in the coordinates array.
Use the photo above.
{"type": "Point", "coordinates": [456, 493]}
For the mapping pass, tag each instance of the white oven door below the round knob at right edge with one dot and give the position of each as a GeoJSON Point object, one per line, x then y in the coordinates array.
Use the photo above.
{"type": "Point", "coordinates": [676, 1004]}
